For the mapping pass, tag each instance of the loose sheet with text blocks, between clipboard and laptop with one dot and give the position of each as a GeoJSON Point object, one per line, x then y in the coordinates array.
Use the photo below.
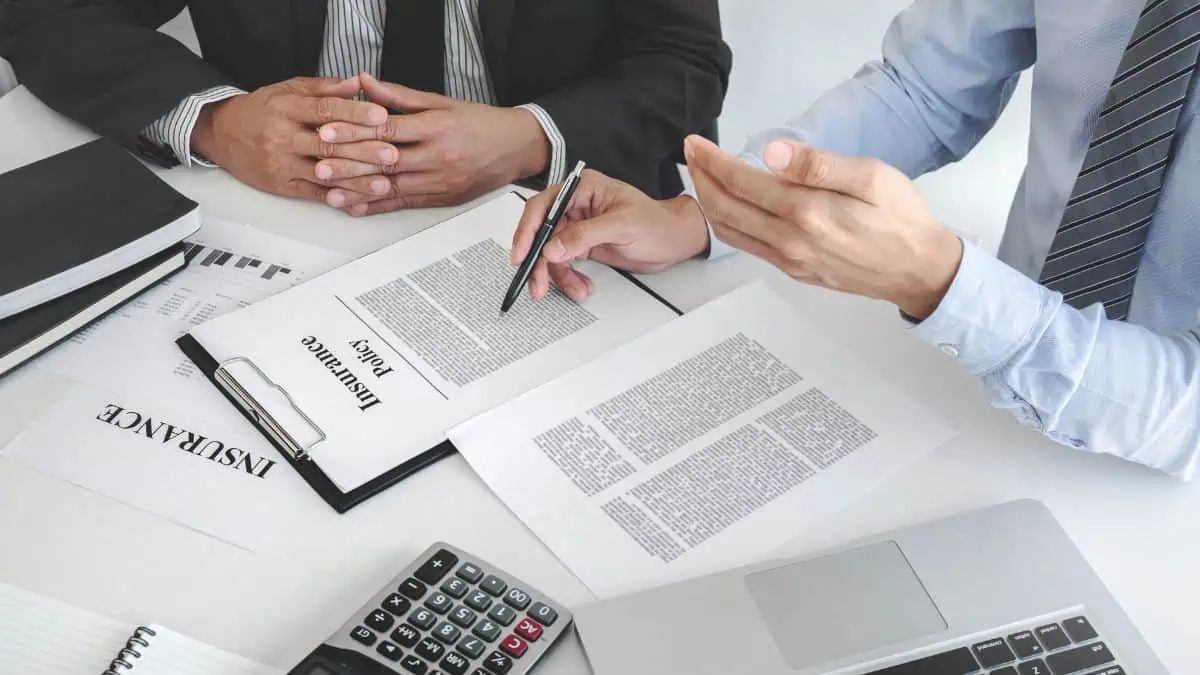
{"type": "Point", "coordinates": [705, 445]}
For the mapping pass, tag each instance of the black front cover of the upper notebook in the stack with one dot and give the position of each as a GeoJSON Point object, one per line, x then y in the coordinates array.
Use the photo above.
{"type": "Point", "coordinates": [75, 207]}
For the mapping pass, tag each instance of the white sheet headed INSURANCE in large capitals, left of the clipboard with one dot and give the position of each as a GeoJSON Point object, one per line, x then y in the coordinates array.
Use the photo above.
{"type": "Point", "coordinates": [219, 477]}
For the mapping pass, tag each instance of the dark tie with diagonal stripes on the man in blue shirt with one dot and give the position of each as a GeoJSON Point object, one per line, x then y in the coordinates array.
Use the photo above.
{"type": "Point", "coordinates": [1096, 253]}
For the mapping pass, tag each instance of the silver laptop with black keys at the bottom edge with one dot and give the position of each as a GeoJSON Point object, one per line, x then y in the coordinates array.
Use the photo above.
{"type": "Point", "coordinates": [998, 592]}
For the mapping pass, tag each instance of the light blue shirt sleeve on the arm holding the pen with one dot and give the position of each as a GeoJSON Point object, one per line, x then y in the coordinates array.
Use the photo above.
{"type": "Point", "coordinates": [947, 73]}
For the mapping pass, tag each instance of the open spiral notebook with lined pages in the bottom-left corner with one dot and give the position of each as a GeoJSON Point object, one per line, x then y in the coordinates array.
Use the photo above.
{"type": "Point", "coordinates": [40, 636]}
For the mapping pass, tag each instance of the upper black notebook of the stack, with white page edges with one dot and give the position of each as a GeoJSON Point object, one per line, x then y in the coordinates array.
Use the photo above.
{"type": "Point", "coordinates": [83, 216]}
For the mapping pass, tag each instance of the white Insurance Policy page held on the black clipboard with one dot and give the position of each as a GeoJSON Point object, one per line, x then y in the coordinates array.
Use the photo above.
{"type": "Point", "coordinates": [389, 353]}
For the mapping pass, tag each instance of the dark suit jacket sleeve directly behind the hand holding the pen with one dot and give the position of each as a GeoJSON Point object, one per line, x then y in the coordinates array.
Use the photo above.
{"type": "Point", "coordinates": [667, 80]}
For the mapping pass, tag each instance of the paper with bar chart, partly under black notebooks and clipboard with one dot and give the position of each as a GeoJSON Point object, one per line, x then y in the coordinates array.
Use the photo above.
{"type": "Point", "coordinates": [134, 350]}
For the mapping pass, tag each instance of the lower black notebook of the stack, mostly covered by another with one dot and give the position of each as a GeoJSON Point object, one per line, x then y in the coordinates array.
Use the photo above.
{"type": "Point", "coordinates": [32, 332]}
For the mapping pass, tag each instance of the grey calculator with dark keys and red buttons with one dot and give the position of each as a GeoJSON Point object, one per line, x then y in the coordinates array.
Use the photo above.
{"type": "Point", "coordinates": [449, 613]}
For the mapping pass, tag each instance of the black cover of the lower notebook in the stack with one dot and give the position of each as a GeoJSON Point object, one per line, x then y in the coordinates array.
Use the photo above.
{"type": "Point", "coordinates": [29, 326]}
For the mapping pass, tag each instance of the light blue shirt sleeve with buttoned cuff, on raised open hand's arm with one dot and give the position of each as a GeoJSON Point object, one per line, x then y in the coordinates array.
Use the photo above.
{"type": "Point", "coordinates": [1095, 385]}
